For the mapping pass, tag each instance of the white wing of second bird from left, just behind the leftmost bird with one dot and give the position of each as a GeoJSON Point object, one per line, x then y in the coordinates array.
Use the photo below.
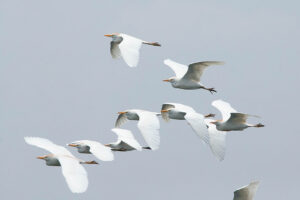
{"type": "Point", "coordinates": [99, 150]}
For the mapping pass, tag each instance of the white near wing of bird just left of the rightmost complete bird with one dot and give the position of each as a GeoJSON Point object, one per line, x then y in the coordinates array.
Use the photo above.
{"type": "Point", "coordinates": [196, 121]}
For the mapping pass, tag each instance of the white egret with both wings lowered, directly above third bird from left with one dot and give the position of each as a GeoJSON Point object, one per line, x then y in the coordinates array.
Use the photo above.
{"type": "Point", "coordinates": [148, 125]}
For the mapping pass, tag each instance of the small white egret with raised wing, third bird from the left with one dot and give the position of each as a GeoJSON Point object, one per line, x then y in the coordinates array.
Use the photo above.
{"type": "Point", "coordinates": [125, 142]}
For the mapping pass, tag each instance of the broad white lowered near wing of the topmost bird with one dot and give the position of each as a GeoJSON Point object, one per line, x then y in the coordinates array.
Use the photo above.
{"type": "Point", "coordinates": [130, 49]}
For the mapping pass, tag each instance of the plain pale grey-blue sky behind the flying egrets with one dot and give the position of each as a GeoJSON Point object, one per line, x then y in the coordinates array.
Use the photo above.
{"type": "Point", "coordinates": [58, 81]}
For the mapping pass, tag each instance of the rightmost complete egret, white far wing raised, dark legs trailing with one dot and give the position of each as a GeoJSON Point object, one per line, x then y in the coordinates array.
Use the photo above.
{"type": "Point", "coordinates": [232, 120]}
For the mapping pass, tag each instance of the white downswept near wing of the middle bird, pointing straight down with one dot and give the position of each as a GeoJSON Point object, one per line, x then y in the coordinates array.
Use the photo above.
{"type": "Point", "coordinates": [149, 126]}
